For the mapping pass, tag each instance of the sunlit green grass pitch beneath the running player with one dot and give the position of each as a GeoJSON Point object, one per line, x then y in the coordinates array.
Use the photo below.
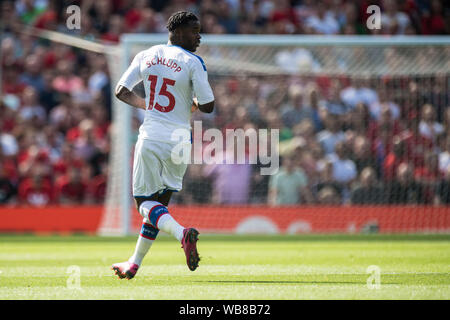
{"type": "Point", "coordinates": [232, 267]}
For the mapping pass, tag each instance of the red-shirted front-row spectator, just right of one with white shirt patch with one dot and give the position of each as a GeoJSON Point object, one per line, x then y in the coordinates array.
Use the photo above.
{"type": "Point", "coordinates": [70, 188]}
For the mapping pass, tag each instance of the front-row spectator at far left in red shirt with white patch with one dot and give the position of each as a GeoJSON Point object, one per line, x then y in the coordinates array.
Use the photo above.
{"type": "Point", "coordinates": [37, 190]}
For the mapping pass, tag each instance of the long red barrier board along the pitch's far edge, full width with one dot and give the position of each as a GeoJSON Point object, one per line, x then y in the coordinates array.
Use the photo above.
{"type": "Point", "coordinates": [245, 219]}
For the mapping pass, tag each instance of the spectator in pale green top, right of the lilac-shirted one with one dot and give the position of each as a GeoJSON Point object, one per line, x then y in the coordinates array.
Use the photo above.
{"type": "Point", "coordinates": [289, 185]}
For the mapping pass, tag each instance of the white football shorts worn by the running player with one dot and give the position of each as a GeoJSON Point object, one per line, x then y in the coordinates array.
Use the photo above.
{"type": "Point", "coordinates": [153, 168]}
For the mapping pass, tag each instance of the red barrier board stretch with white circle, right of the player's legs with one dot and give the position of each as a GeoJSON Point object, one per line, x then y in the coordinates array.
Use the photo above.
{"type": "Point", "coordinates": [291, 220]}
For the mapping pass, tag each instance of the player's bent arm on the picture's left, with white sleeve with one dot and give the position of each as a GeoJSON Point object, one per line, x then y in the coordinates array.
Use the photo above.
{"type": "Point", "coordinates": [124, 88]}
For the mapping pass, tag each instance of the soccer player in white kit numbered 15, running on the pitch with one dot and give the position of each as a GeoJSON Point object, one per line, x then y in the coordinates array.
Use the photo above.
{"type": "Point", "coordinates": [176, 83]}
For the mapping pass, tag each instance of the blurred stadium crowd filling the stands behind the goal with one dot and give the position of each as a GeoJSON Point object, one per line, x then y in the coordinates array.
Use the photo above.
{"type": "Point", "coordinates": [342, 141]}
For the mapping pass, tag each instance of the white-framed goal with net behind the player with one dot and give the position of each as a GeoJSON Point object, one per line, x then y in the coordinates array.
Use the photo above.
{"type": "Point", "coordinates": [363, 127]}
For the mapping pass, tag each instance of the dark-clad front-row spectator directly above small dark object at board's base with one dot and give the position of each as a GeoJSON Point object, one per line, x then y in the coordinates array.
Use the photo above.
{"type": "Point", "coordinates": [368, 191]}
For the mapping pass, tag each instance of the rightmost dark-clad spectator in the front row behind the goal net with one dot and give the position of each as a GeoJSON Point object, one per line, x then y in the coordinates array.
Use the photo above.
{"type": "Point", "coordinates": [404, 190]}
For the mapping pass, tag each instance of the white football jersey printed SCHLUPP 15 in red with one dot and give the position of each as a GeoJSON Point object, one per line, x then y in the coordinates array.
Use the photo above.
{"type": "Point", "coordinates": [172, 76]}
